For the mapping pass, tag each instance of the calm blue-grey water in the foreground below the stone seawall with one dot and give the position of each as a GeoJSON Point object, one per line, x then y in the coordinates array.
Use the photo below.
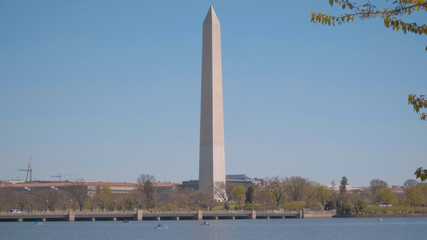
{"type": "Point", "coordinates": [307, 229]}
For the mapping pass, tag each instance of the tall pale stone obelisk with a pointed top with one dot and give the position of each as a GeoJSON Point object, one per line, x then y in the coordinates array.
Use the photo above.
{"type": "Point", "coordinates": [212, 156]}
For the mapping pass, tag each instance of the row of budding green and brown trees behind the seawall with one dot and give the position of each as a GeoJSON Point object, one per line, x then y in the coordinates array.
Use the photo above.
{"type": "Point", "coordinates": [287, 193]}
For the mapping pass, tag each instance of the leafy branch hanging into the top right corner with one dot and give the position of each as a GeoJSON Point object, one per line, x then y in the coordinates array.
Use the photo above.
{"type": "Point", "coordinates": [367, 10]}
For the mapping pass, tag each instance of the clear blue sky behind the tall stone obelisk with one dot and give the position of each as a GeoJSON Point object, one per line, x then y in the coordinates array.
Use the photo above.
{"type": "Point", "coordinates": [106, 90]}
